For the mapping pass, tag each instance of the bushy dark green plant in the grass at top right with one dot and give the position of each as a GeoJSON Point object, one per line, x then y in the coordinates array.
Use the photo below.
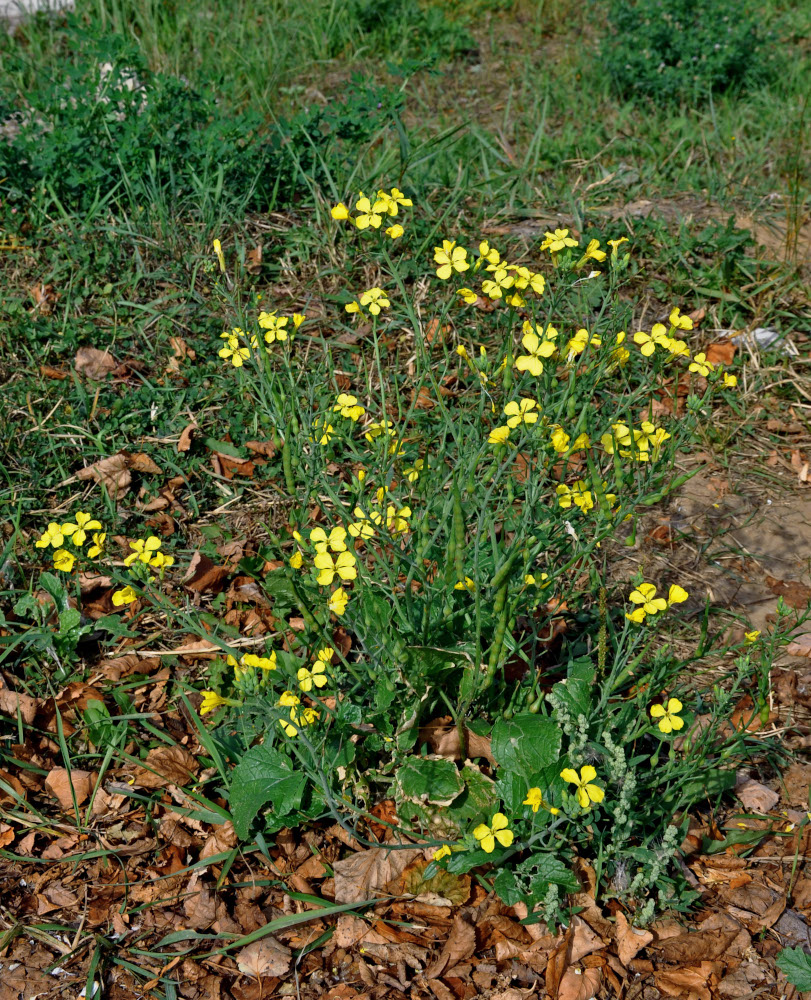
{"type": "Point", "coordinates": [682, 50]}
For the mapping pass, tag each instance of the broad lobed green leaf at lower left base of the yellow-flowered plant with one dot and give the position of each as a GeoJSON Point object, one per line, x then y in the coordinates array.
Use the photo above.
{"type": "Point", "coordinates": [263, 775]}
